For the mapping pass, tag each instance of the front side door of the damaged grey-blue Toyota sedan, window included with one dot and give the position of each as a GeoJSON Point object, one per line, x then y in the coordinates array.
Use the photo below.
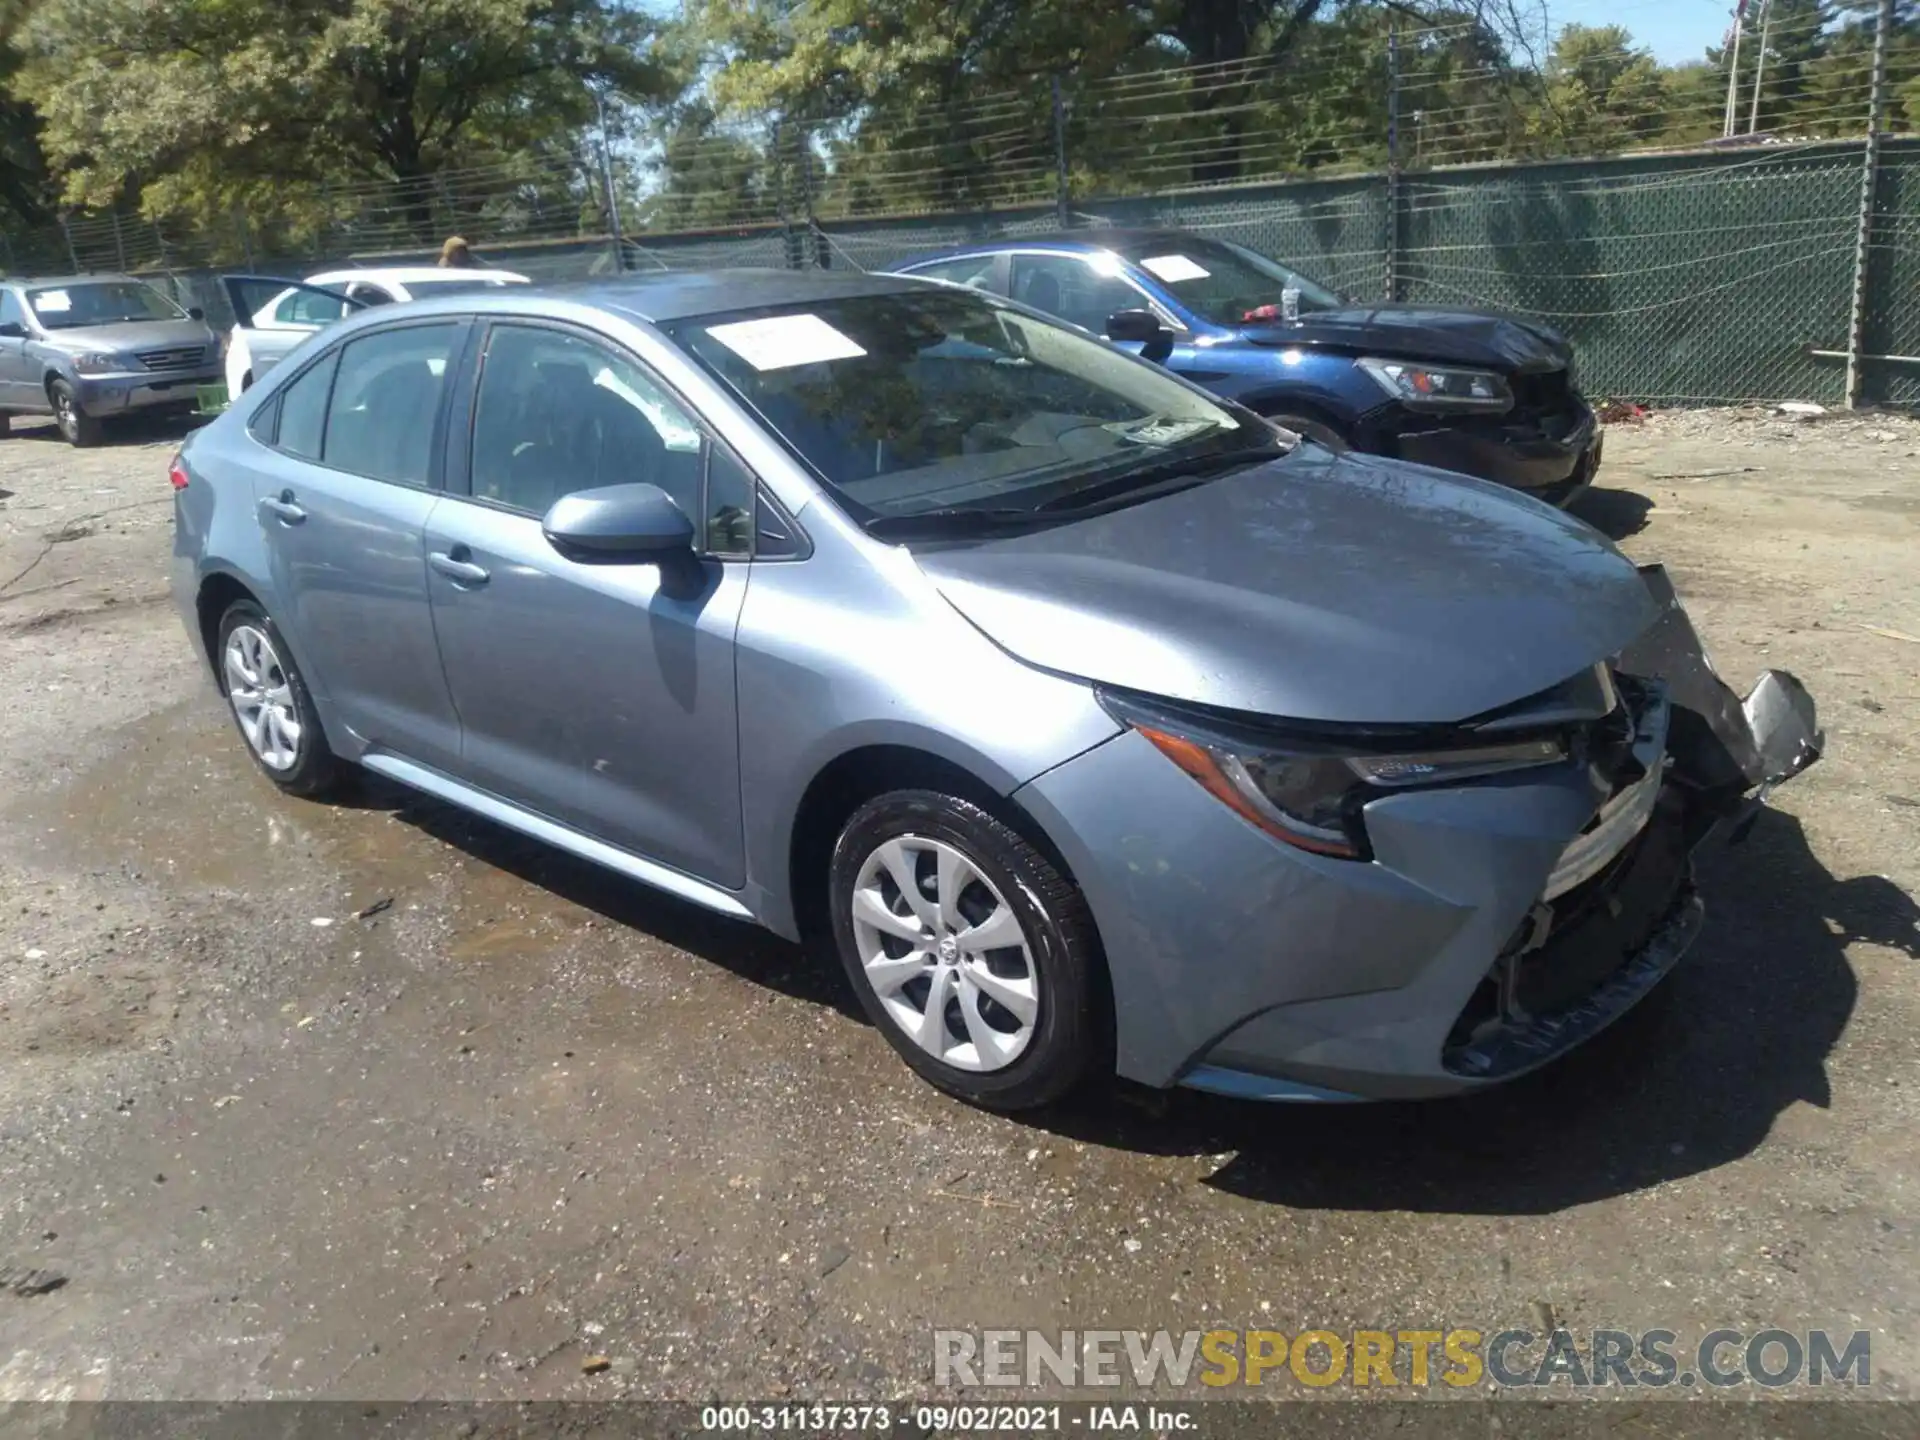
{"type": "Point", "coordinates": [596, 694]}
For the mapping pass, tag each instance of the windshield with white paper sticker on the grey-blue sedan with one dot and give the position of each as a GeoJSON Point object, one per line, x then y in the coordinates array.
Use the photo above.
{"type": "Point", "coordinates": [940, 402]}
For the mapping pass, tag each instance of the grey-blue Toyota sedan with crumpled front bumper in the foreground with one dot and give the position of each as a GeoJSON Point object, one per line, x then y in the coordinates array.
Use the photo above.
{"type": "Point", "coordinates": [1095, 721]}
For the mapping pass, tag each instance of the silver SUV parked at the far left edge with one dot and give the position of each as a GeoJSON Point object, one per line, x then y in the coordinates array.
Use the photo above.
{"type": "Point", "coordinates": [87, 348]}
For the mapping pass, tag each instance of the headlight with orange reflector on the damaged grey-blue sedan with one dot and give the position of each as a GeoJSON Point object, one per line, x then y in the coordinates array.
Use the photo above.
{"type": "Point", "coordinates": [1310, 792]}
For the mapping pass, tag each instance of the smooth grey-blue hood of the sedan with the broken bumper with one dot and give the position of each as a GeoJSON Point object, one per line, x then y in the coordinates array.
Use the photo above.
{"type": "Point", "coordinates": [1316, 588]}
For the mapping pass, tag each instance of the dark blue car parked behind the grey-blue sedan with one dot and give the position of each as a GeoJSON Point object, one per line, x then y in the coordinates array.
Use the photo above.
{"type": "Point", "coordinates": [1462, 391]}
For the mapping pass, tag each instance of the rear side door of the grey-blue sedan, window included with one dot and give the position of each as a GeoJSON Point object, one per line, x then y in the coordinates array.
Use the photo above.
{"type": "Point", "coordinates": [343, 496]}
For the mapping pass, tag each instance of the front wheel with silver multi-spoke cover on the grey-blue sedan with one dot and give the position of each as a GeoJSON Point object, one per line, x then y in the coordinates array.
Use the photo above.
{"type": "Point", "coordinates": [971, 951]}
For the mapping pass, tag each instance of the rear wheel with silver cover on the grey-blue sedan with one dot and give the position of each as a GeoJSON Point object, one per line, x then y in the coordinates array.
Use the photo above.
{"type": "Point", "coordinates": [272, 706]}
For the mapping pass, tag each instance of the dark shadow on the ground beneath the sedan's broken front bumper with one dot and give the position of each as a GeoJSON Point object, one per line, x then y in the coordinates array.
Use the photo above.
{"type": "Point", "coordinates": [1689, 1082]}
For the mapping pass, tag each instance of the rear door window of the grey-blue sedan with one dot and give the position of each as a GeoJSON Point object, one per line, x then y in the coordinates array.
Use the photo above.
{"type": "Point", "coordinates": [385, 400]}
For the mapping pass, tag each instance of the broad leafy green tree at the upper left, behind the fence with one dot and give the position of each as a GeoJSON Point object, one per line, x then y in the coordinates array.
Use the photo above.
{"type": "Point", "coordinates": [208, 105]}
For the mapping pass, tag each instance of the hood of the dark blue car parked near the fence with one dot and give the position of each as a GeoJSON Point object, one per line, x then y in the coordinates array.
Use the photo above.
{"type": "Point", "coordinates": [1506, 343]}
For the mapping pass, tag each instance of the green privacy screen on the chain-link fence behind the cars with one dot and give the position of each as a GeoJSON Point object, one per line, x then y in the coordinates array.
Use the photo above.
{"type": "Point", "coordinates": [1685, 279]}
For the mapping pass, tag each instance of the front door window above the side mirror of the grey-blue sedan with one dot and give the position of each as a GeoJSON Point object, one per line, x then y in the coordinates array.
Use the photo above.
{"type": "Point", "coordinates": [560, 414]}
